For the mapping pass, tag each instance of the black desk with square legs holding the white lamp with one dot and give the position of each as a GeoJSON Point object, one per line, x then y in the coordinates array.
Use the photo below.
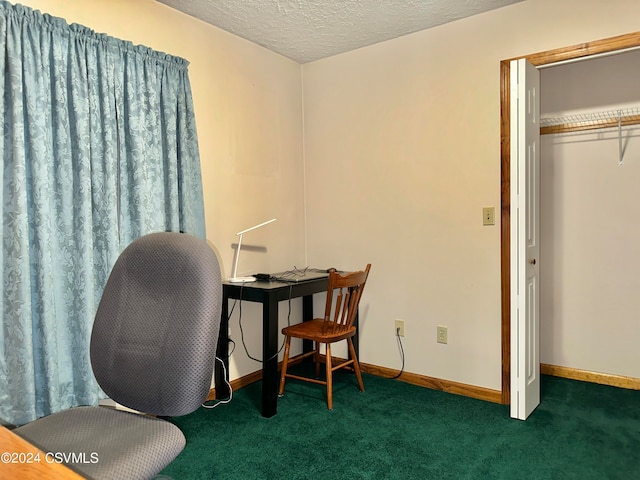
{"type": "Point", "coordinates": [269, 294]}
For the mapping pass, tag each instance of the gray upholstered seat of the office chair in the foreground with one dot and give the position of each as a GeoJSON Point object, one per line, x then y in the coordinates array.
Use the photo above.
{"type": "Point", "coordinates": [114, 444]}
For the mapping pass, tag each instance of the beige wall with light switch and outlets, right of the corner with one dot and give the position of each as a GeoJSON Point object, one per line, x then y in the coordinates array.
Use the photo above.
{"type": "Point", "coordinates": [403, 138]}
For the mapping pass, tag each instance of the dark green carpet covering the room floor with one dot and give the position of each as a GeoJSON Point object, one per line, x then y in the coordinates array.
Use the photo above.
{"type": "Point", "coordinates": [399, 431]}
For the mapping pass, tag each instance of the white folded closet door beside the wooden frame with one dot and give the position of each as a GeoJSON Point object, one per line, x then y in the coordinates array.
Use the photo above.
{"type": "Point", "coordinates": [525, 238]}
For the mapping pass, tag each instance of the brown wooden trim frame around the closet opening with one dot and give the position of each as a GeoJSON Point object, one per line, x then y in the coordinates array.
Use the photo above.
{"type": "Point", "coordinates": [609, 45]}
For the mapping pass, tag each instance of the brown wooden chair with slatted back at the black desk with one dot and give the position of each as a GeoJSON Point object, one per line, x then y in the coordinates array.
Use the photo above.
{"type": "Point", "coordinates": [343, 297]}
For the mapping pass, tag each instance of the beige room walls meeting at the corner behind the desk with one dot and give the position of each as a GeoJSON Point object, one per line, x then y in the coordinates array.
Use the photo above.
{"type": "Point", "coordinates": [402, 152]}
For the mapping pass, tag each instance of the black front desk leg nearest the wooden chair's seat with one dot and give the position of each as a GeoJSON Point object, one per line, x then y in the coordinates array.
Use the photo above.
{"type": "Point", "coordinates": [270, 377]}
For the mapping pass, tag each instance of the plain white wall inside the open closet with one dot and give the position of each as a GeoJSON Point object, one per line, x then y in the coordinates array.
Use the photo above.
{"type": "Point", "coordinates": [590, 221]}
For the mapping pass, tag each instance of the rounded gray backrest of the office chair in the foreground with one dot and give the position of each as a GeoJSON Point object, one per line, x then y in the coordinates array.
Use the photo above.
{"type": "Point", "coordinates": [156, 329]}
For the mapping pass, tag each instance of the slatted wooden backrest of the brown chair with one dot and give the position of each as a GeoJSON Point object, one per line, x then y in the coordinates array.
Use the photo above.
{"type": "Point", "coordinates": [343, 297]}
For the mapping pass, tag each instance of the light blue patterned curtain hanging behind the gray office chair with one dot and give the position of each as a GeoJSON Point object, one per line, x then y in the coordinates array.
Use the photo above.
{"type": "Point", "coordinates": [98, 147]}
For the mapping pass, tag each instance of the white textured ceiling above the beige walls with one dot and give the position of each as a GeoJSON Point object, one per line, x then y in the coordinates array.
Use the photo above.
{"type": "Point", "coordinates": [307, 30]}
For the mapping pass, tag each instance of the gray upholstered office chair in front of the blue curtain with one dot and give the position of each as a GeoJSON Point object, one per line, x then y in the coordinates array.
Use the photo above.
{"type": "Point", "coordinates": [152, 349]}
